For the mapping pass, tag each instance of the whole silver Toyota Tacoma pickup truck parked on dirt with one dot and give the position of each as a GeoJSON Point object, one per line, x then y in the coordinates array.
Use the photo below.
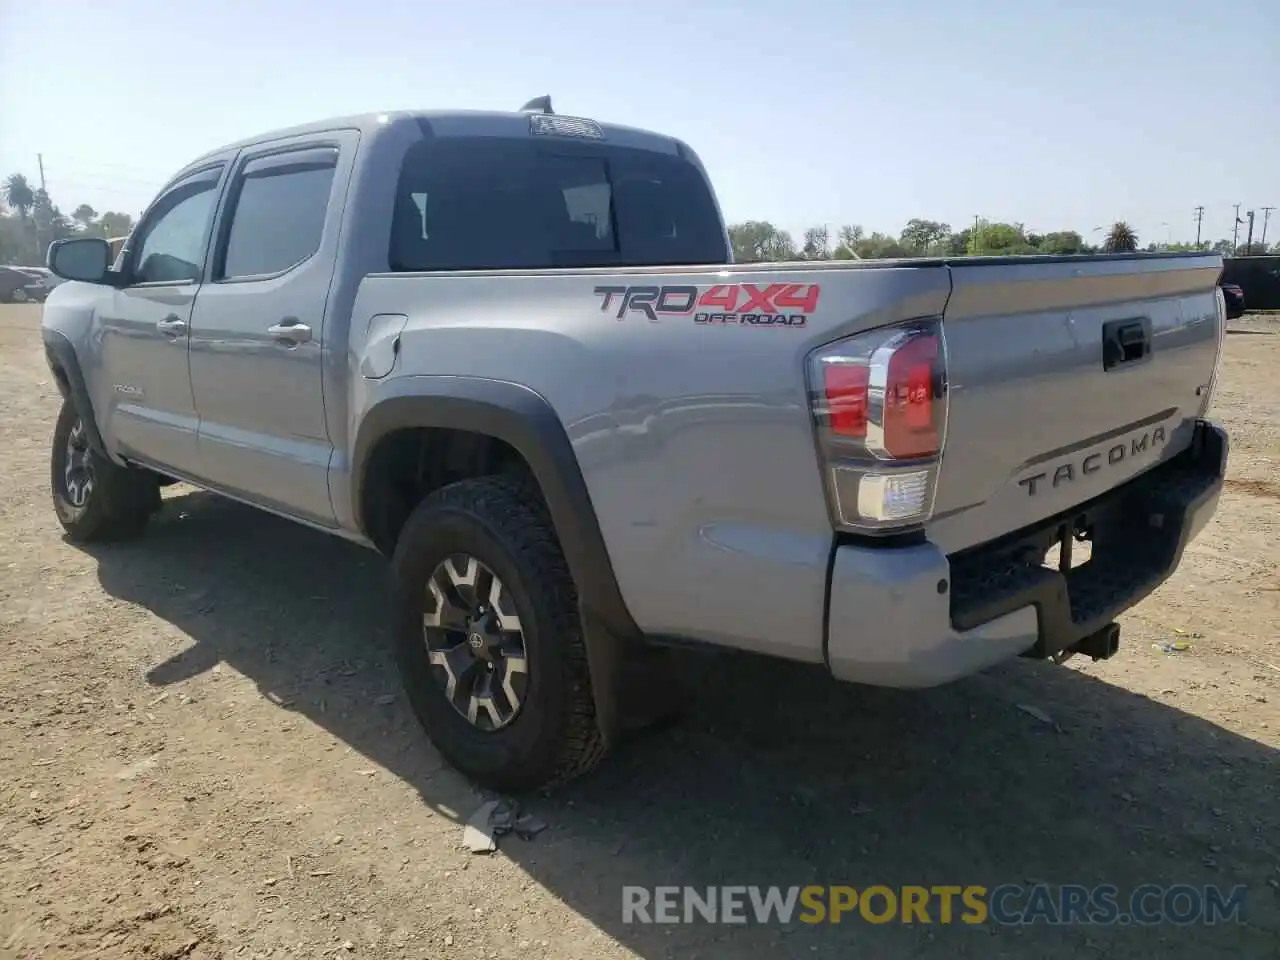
{"type": "Point", "coordinates": [510, 353]}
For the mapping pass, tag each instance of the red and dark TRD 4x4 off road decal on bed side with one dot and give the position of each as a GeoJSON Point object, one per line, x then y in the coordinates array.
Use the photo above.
{"type": "Point", "coordinates": [725, 304]}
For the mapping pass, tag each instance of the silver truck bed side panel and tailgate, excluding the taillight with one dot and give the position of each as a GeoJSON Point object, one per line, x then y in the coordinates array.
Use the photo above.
{"type": "Point", "coordinates": [696, 433]}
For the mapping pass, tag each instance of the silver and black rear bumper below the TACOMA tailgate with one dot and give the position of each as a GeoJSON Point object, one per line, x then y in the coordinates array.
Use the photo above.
{"type": "Point", "coordinates": [915, 618]}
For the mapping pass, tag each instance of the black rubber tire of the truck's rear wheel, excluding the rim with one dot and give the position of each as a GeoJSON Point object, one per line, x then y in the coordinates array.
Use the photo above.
{"type": "Point", "coordinates": [501, 523]}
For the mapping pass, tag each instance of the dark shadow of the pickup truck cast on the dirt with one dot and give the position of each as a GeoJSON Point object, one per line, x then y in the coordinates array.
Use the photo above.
{"type": "Point", "coordinates": [778, 776]}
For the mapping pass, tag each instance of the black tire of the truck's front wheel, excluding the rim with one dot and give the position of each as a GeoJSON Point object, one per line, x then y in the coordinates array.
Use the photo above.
{"type": "Point", "coordinates": [118, 506]}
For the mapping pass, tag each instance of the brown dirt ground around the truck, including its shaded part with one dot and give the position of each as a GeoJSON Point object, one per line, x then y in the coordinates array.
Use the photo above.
{"type": "Point", "coordinates": [204, 755]}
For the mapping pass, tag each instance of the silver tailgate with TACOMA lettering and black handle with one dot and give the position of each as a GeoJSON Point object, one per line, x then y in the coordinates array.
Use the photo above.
{"type": "Point", "coordinates": [1068, 378]}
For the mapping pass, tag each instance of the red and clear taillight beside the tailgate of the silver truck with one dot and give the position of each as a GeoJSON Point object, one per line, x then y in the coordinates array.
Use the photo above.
{"type": "Point", "coordinates": [880, 409]}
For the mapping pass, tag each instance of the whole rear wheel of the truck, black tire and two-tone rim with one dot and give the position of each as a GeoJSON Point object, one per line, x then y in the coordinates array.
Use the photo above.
{"type": "Point", "coordinates": [490, 638]}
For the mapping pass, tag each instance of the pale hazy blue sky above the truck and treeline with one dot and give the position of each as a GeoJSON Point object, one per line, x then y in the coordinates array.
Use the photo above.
{"type": "Point", "coordinates": [1059, 116]}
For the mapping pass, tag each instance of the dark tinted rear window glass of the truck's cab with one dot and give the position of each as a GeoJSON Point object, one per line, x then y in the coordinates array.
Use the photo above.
{"type": "Point", "coordinates": [497, 204]}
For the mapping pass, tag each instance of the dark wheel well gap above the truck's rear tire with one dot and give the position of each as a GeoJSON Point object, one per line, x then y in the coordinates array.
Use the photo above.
{"type": "Point", "coordinates": [410, 464]}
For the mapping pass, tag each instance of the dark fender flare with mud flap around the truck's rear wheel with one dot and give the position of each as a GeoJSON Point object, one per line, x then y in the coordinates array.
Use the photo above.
{"type": "Point", "coordinates": [523, 419]}
